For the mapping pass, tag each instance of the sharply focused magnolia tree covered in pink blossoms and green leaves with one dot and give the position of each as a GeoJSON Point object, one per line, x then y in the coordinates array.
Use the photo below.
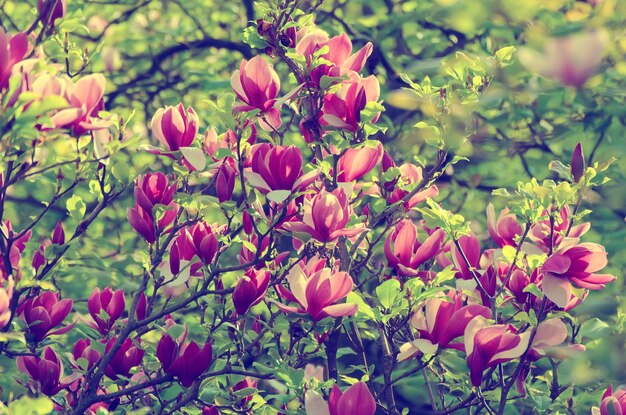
{"type": "Point", "coordinates": [288, 264]}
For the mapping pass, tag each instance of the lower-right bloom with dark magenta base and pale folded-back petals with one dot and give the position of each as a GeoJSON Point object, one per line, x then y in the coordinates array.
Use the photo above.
{"type": "Point", "coordinates": [490, 345]}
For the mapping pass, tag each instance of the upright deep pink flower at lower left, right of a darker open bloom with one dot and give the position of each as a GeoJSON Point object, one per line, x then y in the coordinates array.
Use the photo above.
{"type": "Point", "coordinates": [107, 303]}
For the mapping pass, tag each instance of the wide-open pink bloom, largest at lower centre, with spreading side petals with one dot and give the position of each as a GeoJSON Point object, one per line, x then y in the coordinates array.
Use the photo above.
{"type": "Point", "coordinates": [317, 292]}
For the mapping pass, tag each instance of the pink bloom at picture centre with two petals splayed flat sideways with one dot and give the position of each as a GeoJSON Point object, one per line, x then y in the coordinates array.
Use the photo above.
{"type": "Point", "coordinates": [325, 217]}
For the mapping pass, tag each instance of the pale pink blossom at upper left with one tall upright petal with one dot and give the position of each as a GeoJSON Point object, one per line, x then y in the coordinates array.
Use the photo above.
{"type": "Point", "coordinates": [86, 100]}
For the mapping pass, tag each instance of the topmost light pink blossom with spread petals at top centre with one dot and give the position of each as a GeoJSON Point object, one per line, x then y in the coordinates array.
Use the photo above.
{"type": "Point", "coordinates": [339, 58]}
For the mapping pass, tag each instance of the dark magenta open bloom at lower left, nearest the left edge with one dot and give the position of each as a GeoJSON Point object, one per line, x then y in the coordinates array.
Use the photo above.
{"type": "Point", "coordinates": [45, 312]}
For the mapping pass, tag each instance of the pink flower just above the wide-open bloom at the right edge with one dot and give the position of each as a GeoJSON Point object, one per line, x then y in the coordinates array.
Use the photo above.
{"type": "Point", "coordinates": [541, 231]}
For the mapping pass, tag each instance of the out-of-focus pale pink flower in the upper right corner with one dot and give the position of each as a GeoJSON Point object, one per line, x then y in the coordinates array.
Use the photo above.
{"type": "Point", "coordinates": [570, 60]}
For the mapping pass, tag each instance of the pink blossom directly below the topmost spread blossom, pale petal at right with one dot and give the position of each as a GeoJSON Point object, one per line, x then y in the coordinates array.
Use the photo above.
{"type": "Point", "coordinates": [342, 110]}
